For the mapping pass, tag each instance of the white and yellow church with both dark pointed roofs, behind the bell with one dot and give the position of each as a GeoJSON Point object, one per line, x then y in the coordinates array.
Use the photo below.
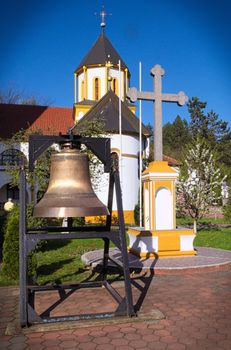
{"type": "Point", "coordinates": [101, 83]}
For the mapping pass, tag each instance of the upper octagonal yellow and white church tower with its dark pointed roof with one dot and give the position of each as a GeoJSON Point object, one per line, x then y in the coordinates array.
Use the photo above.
{"type": "Point", "coordinates": [98, 73]}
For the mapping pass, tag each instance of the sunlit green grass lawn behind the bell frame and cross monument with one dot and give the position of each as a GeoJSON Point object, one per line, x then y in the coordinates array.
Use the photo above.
{"type": "Point", "coordinates": [60, 261]}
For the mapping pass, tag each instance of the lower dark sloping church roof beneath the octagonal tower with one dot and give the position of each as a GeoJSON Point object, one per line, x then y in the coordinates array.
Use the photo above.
{"type": "Point", "coordinates": [107, 111]}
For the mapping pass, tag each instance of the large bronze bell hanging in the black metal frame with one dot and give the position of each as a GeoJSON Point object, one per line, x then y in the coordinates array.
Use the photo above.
{"type": "Point", "coordinates": [69, 192]}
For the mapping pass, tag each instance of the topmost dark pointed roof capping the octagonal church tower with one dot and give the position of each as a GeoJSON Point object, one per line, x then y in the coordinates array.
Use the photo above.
{"type": "Point", "coordinates": [101, 52]}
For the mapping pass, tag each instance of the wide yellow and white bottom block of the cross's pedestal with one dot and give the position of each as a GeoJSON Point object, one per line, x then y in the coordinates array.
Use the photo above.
{"type": "Point", "coordinates": [161, 243]}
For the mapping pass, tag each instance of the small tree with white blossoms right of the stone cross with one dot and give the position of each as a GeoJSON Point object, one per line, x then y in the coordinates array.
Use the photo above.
{"type": "Point", "coordinates": [200, 185]}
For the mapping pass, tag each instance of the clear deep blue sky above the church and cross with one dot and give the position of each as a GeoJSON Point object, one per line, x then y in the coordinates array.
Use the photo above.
{"type": "Point", "coordinates": [42, 42]}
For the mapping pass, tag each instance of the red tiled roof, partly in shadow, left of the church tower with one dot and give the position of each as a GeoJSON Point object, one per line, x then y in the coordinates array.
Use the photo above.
{"type": "Point", "coordinates": [50, 120]}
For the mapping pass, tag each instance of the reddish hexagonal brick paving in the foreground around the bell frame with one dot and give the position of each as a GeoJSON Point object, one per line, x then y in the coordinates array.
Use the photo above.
{"type": "Point", "coordinates": [197, 308]}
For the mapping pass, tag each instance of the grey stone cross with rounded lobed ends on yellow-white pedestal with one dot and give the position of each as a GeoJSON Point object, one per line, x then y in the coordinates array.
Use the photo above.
{"type": "Point", "coordinates": [158, 97]}
